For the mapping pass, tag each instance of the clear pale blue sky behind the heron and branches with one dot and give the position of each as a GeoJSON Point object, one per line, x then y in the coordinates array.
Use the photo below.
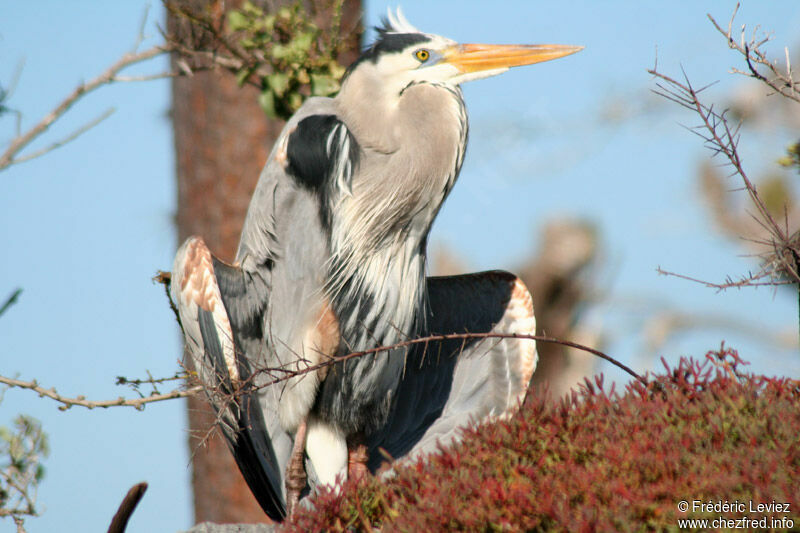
{"type": "Point", "coordinates": [84, 228]}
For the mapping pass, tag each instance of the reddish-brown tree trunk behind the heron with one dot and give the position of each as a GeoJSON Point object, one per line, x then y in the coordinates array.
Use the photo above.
{"type": "Point", "coordinates": [222, 140]}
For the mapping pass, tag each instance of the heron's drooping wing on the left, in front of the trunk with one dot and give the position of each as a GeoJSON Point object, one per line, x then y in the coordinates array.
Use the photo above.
{"type": "Point", "coordinates": [216, 304]}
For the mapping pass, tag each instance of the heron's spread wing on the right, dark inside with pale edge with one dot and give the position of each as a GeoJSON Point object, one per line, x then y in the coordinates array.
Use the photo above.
{"type": "Point", "coordinates": [448, 384]}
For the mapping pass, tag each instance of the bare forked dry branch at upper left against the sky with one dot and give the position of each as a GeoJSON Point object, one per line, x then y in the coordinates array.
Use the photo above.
{"type": "Point", "coordinates": [8, 157]}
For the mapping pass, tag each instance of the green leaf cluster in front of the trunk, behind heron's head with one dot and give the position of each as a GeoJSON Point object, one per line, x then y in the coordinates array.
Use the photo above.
{"type": "Point", "coordinates": [301, 59]}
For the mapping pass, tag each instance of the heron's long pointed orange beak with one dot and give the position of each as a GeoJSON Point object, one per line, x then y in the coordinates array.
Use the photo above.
{"type": "Point", "coordinates": [482, 57]}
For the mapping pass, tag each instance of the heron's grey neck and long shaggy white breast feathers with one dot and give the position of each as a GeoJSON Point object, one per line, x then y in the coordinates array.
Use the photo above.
{"type": "Point", "coordinates": [379, 231]}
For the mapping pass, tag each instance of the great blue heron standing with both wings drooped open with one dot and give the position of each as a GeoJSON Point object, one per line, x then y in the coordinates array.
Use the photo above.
{"type": "Point", "coordinates": [332, 261]}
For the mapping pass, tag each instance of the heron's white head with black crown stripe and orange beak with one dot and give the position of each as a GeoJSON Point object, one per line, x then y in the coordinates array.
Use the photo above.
{"type": "Point", "coordinates": [403, 55]}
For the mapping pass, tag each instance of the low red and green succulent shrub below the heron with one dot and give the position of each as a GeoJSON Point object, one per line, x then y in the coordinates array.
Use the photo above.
{"type": "Point", "coordinates": [598, 460]}
